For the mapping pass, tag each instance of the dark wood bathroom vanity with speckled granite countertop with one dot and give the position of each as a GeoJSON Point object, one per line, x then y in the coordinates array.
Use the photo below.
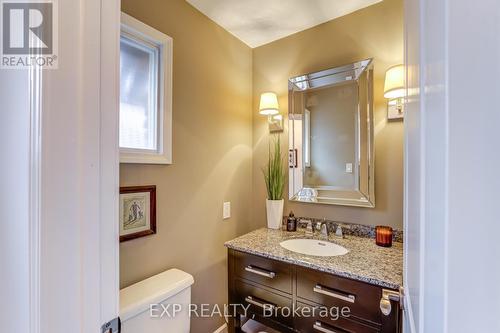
{"type": "Point", "coordinates": [268, 279]}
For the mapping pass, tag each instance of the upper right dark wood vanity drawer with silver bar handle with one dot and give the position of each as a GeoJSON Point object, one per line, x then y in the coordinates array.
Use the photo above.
{"type": "Point", "coordinates": [362, 299]}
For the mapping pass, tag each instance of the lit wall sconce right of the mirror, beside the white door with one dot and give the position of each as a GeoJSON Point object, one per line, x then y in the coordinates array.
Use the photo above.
{"type": "Point", "coordinates": [394, 91]}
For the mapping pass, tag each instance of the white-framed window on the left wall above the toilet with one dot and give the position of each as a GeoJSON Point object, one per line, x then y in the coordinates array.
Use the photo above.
{"type": "Point", "coordinates": [145, 94]}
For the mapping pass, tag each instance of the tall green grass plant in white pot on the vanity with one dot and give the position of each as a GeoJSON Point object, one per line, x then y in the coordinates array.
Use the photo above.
{"type": "Point", "coordinates": [274, 176]}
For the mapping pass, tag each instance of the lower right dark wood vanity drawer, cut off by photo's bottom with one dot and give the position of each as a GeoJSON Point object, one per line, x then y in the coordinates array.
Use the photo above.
{"type": "Point", "coordinates": [323, 324]}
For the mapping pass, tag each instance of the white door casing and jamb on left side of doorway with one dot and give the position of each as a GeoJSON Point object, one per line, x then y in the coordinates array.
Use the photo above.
{"type": "Point", "coordinates": [80, 101]}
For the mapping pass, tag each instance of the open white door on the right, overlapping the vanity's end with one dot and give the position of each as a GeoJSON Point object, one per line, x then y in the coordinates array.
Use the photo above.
{"type": "Point", "coordinates": [452, 166]}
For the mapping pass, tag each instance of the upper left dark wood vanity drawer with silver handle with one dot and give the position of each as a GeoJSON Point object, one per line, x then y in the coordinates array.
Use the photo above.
{"type": "Point", "coordinates": [268, 272]}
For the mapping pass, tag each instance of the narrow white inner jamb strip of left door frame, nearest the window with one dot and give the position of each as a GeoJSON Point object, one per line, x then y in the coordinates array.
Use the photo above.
{"type": "Point", "coordinates": [110, 167]}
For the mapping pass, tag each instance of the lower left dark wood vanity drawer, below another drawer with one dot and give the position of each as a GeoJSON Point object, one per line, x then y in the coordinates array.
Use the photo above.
{"type": "Point", "coordinates": [262, 302]}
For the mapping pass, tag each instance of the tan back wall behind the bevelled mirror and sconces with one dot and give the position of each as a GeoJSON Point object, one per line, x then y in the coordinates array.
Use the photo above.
{"type": "Point", "coordinates": [376, 31]}
